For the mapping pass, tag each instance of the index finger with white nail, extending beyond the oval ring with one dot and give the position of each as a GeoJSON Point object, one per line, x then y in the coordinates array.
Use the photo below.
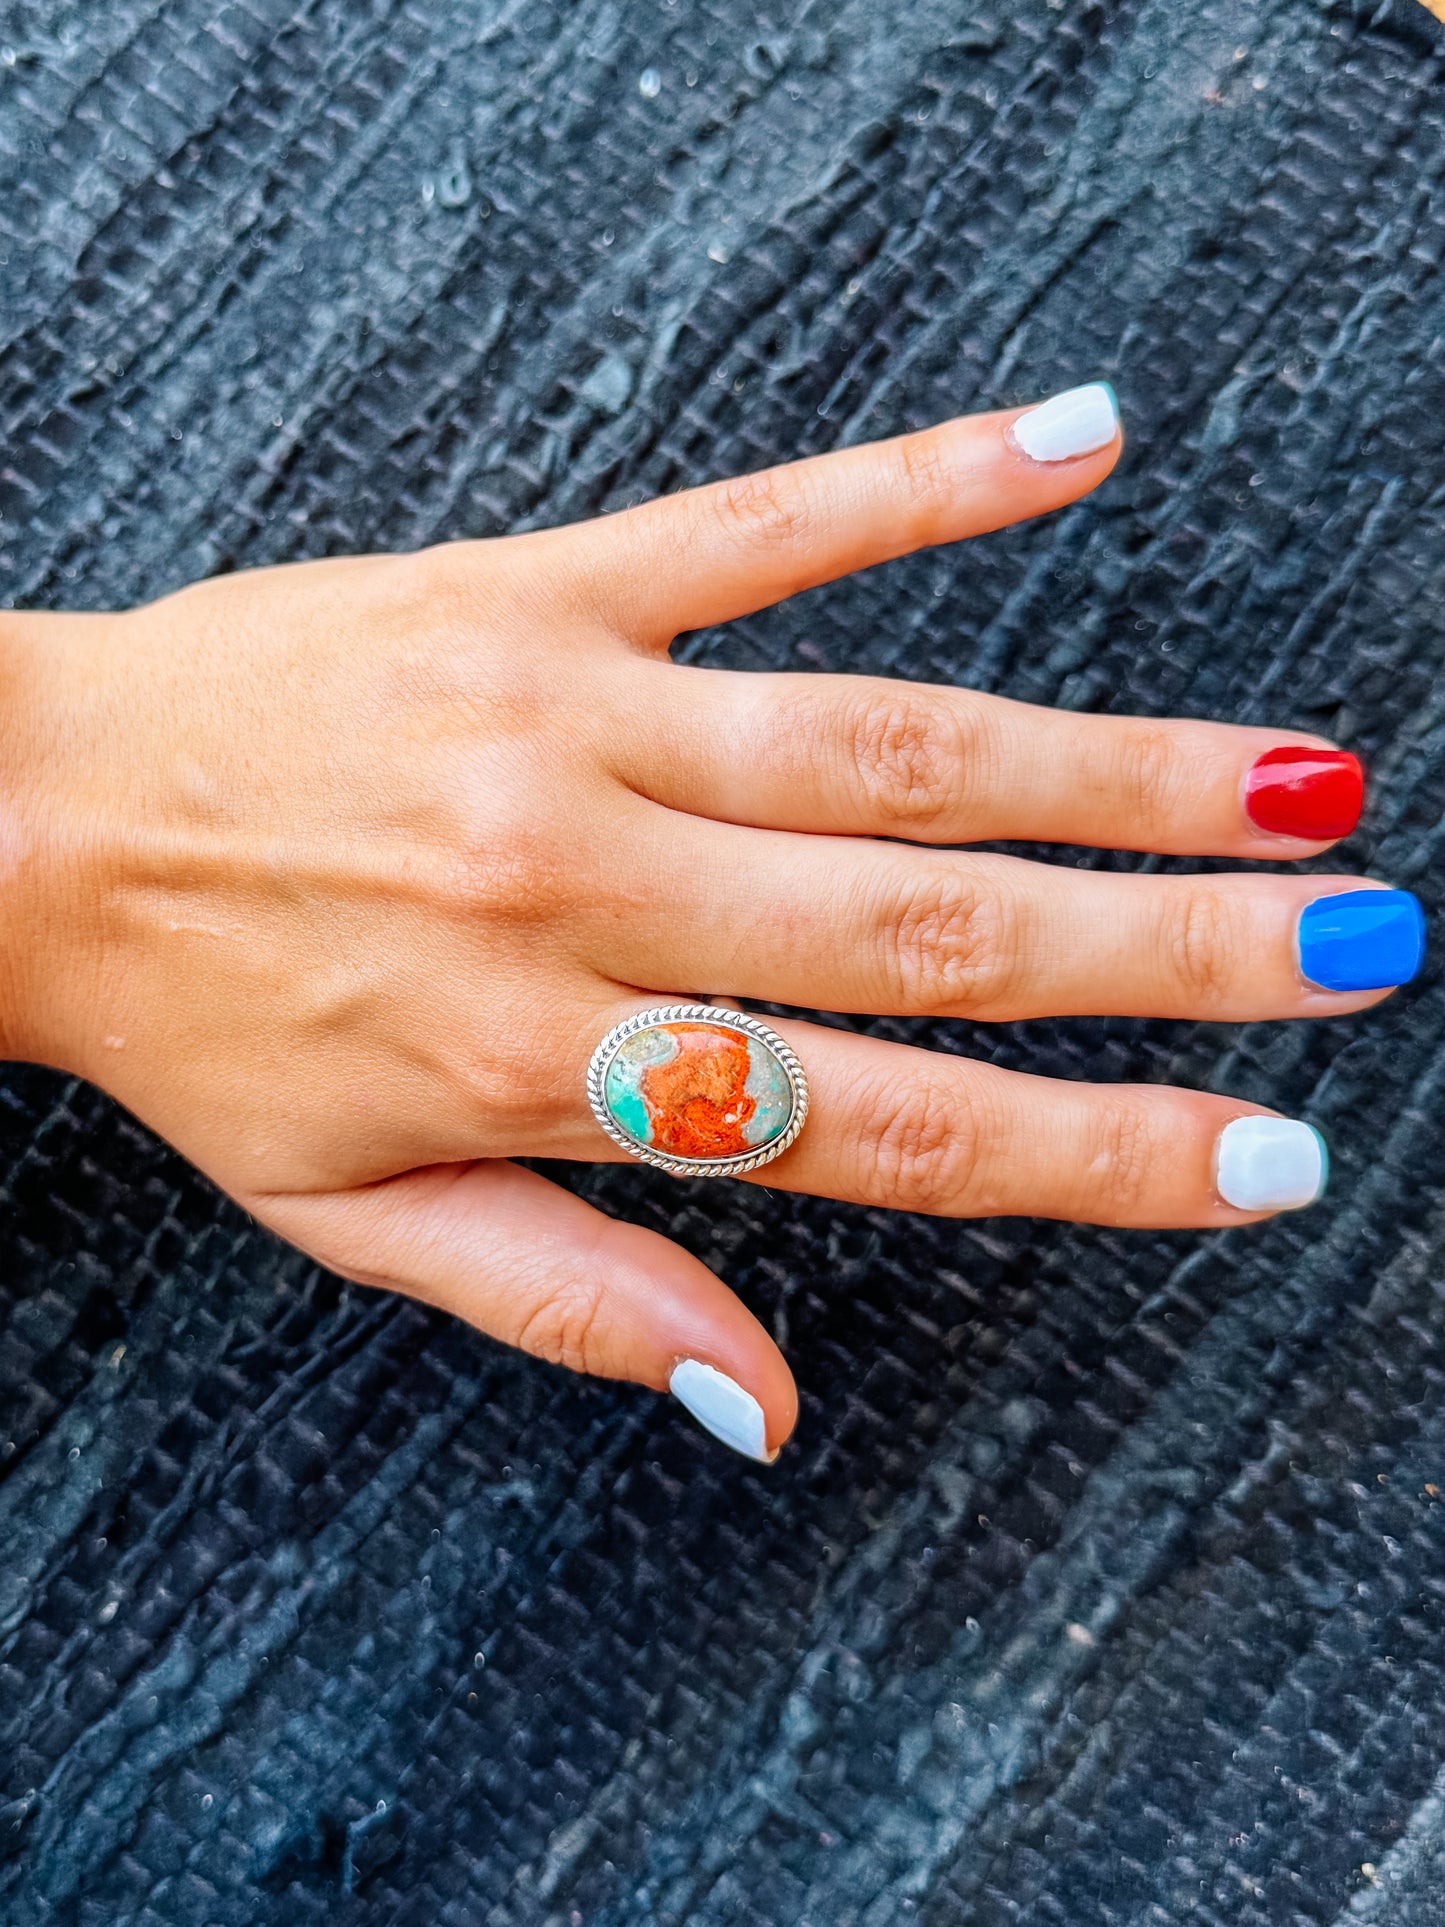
{"type": "Point", "coordinates": [914, 1130]}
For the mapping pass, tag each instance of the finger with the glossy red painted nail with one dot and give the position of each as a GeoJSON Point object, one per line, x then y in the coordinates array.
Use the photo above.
{"type": "Point", "coordinates": [868, 756]}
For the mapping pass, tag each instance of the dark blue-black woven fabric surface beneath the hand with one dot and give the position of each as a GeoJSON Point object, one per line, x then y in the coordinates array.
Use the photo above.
{"type": "Point", "coordinates": [1105, 1581]}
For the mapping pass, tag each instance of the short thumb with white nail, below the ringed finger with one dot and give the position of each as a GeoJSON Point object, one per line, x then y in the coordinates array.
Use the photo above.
{"type": "Point", "coordinates": [540, 1269]}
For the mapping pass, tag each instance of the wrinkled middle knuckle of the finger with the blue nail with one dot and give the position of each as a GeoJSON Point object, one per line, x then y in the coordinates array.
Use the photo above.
{"type": "Point", "coordinates": [949, 947]}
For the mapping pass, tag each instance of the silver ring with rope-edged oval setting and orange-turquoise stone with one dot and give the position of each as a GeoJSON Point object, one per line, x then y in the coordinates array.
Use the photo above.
{"type": "Point", "coordinates": [698, 1092]}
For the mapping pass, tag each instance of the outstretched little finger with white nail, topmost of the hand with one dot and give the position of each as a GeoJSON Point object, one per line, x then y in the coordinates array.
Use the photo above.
{"type": "Point", "coordinates": [725, 550]}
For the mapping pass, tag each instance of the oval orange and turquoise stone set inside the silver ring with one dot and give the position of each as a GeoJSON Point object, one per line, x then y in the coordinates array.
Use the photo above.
{"type": "Point", "coordinates": [698, 1090]}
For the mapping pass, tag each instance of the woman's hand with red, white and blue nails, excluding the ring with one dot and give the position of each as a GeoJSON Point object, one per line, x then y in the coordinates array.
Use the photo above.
{"type": "Point", "coordinates": [338, 874]}
